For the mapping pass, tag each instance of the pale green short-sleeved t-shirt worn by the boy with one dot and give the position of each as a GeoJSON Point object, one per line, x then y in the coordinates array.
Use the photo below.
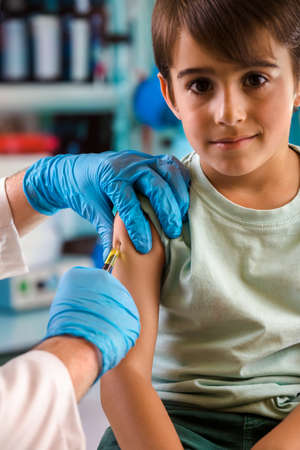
{"type": "Point", "coordinates": [229, 326]}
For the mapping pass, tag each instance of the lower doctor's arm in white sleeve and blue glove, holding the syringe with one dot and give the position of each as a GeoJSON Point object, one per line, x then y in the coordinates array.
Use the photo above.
{"type": "Point", "coordinates": [93, 323]}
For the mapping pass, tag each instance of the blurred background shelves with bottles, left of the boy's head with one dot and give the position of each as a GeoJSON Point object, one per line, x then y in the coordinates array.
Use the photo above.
{"type": "Point", "coordinates": [76, 59]}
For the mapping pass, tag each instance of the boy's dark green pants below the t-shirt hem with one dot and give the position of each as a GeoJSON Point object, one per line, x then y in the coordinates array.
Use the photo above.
{"type": "Point", "coordinates": [209, 430]}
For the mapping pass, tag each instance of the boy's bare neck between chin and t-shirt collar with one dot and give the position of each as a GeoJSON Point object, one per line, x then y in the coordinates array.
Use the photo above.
{"type": "Point", "coordinates": [258, 191]}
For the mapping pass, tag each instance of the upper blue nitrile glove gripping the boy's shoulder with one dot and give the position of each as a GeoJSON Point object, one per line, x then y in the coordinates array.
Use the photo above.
{"type": "Point", "coordinates": [91, 183]}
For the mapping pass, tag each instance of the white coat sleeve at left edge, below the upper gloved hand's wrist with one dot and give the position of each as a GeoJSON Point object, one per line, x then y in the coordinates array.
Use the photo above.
{"type": "Point", "coordinates": [11, 257]}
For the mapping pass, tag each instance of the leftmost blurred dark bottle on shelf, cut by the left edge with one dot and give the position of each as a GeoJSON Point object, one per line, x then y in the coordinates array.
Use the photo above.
{"type": "Point", "coordinates": [15, 57]}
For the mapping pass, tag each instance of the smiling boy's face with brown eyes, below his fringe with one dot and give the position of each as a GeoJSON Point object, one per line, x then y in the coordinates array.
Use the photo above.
{"type": "Point", "coordinates": [249, 107]}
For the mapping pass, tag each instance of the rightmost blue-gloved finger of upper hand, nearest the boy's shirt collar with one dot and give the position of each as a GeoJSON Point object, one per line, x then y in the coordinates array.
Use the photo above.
{"type": "Point", "coordinates": [178, 178]}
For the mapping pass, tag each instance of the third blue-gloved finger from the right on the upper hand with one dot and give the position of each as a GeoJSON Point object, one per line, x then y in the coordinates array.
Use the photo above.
{"type": "Point", "coordinates": [124, 198]}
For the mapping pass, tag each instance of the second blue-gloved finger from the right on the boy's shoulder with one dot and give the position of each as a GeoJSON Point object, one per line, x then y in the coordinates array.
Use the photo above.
{"type": "Point", "coordinates": [163, 202]}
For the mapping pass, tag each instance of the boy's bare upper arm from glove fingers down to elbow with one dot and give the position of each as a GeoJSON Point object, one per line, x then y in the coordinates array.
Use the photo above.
{"type": "Point", "coordinates": [141, 275]}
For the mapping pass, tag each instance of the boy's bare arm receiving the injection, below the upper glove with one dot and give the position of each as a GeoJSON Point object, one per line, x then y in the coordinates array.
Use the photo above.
{"type": "Point", "coordinates": [136, 413]}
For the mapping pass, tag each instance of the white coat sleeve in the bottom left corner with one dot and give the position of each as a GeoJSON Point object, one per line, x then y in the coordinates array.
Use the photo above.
{"type": "Point", "coordinates": [38, 409]}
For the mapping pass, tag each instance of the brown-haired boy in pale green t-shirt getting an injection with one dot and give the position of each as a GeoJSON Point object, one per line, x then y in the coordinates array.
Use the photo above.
{"type": "Point", "coordinates": [227, 358]}
